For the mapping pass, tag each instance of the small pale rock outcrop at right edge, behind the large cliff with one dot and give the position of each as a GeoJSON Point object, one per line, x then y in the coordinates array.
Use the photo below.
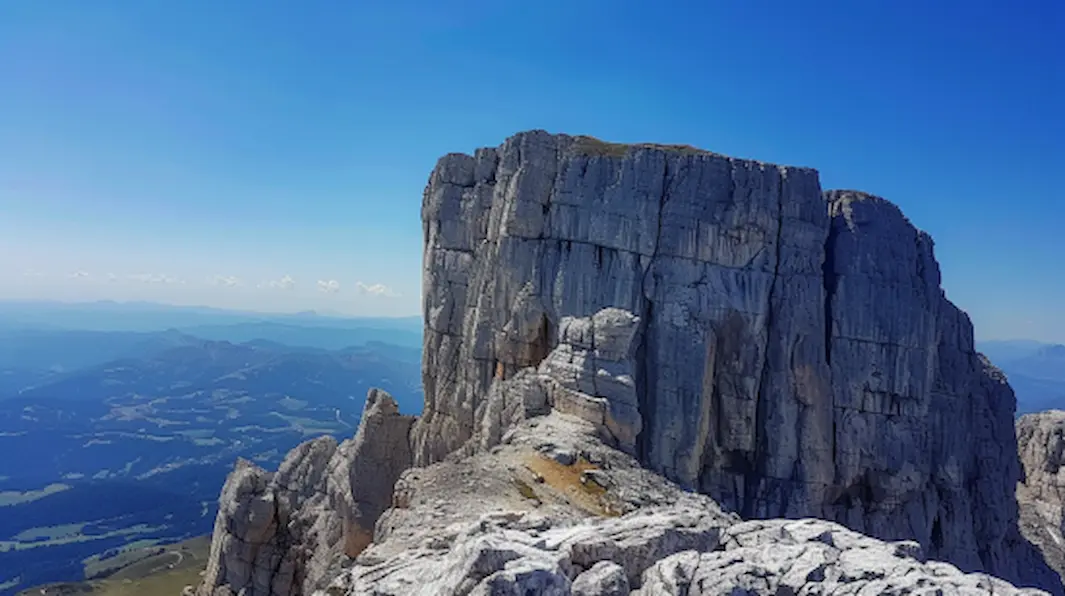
{"type": "Point", "coordinates": [1041, 441]}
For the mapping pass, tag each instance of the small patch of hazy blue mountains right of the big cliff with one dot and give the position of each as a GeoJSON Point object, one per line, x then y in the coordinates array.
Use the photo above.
{"type": "Point", "coordinates": [1036, 371]}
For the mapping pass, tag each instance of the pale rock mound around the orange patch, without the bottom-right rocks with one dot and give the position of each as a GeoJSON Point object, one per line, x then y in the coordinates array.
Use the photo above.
{"type": "Point", "coordinates": [462, 526]}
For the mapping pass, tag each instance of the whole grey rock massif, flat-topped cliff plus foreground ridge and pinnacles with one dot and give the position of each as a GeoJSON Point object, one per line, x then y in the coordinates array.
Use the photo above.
{"type": "Point", "coordinates": [719, 322]}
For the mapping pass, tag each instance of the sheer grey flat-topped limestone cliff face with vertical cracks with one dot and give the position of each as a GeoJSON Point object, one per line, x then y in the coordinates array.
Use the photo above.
{"type": "Point", "coordinates": [787, 352]}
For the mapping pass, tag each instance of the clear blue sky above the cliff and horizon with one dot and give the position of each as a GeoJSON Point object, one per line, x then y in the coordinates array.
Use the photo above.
{"type": "Point", "coordinates": [227, 145]}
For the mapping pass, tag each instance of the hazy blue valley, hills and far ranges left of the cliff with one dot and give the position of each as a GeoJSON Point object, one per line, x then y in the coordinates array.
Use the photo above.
{"type": "Point", "coordinates": [117, 440]}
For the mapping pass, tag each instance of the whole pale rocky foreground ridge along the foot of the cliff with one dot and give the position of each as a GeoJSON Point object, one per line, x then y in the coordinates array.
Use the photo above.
{"type": "Point", "coordinates": [445, 541]}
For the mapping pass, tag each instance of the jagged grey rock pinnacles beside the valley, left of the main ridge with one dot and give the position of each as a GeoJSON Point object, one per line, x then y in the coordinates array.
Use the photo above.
{"type": "Point", "coordinates": [277, 535]}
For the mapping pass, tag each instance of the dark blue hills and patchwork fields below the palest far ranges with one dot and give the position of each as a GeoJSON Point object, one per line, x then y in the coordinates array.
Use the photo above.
{"type": "Point", "coordinates": [134, 453]}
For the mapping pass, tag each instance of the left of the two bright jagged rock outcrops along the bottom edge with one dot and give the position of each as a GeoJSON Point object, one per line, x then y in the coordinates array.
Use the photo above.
{"type": "Point", "coordinates": [509, 555]}
